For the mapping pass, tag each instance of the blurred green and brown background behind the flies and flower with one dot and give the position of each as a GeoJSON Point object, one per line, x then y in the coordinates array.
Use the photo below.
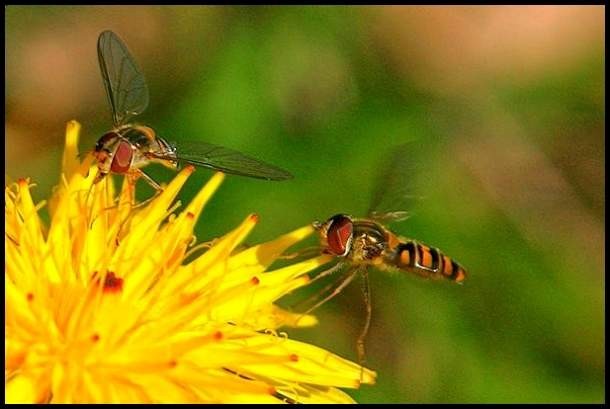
{"type": "Point", "coordinates": [505, 105]}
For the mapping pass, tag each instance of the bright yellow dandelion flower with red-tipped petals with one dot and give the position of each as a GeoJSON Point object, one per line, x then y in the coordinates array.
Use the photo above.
{"type": "Point", "coordinates": [102, 307]}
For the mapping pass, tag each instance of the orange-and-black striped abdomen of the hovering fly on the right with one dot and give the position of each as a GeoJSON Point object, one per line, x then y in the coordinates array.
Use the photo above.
{"type": "Point", "coordinates": [426, 261]}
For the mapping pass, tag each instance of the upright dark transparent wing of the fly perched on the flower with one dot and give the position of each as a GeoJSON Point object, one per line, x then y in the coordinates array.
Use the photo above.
{"type": "Point", "coordinates": [125, 85]}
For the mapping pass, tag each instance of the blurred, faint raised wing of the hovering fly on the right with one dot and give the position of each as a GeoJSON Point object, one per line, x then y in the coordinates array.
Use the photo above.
{"type": "Point", "coordinates": [394, 191]}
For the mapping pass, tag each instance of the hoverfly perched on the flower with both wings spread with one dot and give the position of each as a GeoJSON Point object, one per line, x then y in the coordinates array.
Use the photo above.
{"type": "Point", "coordinates": [128, 147]}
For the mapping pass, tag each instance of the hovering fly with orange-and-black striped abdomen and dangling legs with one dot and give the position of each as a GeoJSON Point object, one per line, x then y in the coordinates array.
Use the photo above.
{"type": "Point", "coordinates": [359, 244]}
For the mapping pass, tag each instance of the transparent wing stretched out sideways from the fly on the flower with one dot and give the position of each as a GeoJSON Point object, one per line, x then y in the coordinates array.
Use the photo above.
{"type": "Point", "coordinates": [227, 160]}
